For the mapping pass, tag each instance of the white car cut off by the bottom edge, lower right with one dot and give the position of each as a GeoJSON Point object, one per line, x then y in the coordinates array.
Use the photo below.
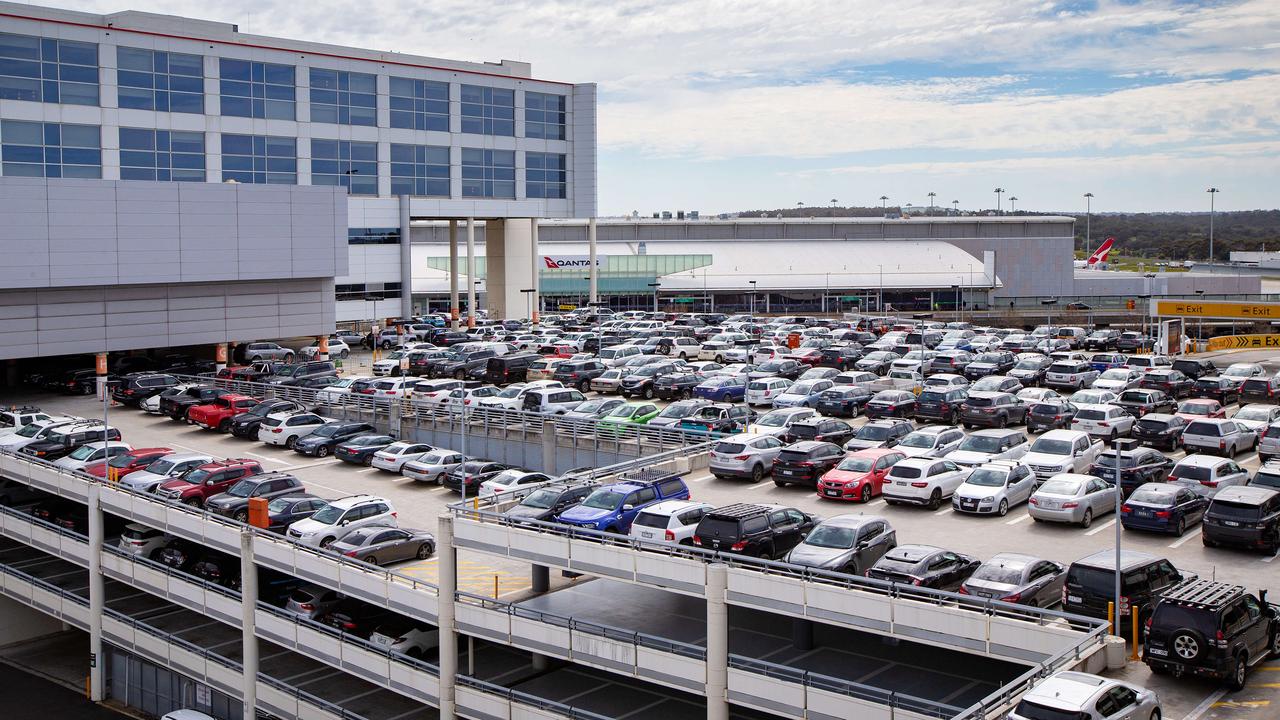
{"type": "Point", "coordinates": [1081, 696]}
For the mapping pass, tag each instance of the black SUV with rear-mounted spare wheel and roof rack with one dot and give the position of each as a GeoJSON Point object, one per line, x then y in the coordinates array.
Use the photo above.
{"type": "Point", "coordinates": [1212, 630]}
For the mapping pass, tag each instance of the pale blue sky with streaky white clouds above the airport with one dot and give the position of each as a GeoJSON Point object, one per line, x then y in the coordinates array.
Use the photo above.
{"type": "Point", "coordinates": [723, 106]}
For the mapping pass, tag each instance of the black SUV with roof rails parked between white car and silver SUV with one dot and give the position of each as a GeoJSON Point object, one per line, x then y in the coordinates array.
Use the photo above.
{"type": "Point", "coordinates": [760, 531]}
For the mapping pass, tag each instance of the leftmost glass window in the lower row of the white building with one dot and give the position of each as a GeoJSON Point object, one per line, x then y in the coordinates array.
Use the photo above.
{"type": "Point", "coordinates": [52, 151]}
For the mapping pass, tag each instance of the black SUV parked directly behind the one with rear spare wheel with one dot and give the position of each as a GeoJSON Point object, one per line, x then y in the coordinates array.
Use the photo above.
{"type": "Point", "coordinates": [1091, 585]}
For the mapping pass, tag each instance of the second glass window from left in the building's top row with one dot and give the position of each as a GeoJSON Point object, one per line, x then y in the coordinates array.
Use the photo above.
{"type": "Point", "coordinates": [152, 80]}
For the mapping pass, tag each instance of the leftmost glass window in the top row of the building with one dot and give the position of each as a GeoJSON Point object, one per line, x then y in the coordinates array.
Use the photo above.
{"type": "Point", "coordinates": [43, 70]}
